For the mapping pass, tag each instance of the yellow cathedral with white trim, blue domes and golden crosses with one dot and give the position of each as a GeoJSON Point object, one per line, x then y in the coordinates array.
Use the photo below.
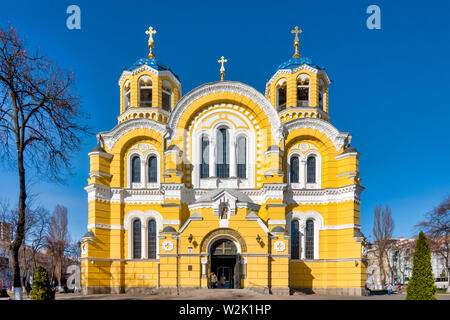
{"type": "Point", "coordinates": [259, 189]}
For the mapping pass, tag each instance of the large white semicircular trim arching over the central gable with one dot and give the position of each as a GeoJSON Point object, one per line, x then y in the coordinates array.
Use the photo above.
{"type": "Point", "coordinates": [225, 86]}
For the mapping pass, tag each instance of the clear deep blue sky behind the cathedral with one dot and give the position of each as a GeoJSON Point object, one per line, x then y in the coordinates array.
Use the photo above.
{"type": "Point", "coordinates": [390, 87]}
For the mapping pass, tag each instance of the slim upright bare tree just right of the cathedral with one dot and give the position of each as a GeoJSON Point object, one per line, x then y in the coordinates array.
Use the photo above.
{"type": "Point", "coordinates": [383, 227]}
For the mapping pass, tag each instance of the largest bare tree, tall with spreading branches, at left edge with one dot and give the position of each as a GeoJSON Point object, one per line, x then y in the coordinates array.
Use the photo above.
{"type": "Point", "coordinates": [39, 122]}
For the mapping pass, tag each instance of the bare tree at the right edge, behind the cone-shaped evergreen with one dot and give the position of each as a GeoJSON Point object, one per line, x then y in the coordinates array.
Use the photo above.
{"type": "Point", "coordinates": [437, 228]}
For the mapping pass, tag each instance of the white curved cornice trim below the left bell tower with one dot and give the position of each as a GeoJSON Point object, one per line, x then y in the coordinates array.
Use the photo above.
{"type": "Point", "coordinates": [112, 136]}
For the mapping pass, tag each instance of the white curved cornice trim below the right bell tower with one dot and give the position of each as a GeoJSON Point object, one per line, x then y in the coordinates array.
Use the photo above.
{"type": "Point", "coordinates": [338, 138]}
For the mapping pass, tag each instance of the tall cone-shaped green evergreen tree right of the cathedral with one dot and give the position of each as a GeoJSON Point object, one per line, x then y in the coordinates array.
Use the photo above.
{"type": "Point", "coordinates": [421, 284]}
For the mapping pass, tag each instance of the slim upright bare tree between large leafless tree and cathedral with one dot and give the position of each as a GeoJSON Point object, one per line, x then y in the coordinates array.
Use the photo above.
{"type": "Point", "coordinates": [57, 241]}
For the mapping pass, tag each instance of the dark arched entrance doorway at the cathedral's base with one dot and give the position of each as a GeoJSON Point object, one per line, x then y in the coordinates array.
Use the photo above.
{"type": "Point", "coordinates": [225, 262]}
